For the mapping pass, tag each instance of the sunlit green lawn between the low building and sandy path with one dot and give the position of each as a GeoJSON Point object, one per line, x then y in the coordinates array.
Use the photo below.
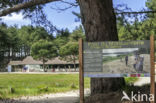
{"type": "Point", "coordinates": [16, 85]}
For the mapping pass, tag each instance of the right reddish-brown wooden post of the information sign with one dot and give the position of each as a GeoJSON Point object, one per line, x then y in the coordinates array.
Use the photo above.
{"type": "Point", "coordinates": [152, 89]}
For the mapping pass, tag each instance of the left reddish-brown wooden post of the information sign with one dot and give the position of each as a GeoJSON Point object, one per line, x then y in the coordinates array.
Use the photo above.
{"type": "Point", "coordinates": [81, 73]}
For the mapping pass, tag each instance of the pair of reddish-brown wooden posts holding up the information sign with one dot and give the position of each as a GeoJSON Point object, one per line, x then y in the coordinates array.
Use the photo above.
{"type": "Point", "coordinates": [152, 71]}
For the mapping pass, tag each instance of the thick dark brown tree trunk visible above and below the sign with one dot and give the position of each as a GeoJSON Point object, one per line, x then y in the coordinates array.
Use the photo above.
{"type": "Point", "coordinates": [99, 21]}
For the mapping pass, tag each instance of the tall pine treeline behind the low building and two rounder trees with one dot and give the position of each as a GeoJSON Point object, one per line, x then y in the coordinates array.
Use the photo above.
{"type": "Point", "coordinates": [16, 43]}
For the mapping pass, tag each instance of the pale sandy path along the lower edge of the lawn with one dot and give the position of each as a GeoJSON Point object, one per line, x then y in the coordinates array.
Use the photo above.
{"type": "Point", "coordinates": [67, 97]}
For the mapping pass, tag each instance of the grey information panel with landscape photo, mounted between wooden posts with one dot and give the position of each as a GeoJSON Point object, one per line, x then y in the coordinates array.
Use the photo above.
{"type": "Point", "coordinates": [116, 59]}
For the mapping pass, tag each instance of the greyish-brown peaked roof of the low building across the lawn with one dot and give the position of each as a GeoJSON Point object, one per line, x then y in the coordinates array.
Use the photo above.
{"type": "Point", "coordinates": [30, 61]}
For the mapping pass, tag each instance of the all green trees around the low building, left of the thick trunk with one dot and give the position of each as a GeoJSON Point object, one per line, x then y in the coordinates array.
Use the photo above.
{"type": "Point", "coordinates": [17, 43]}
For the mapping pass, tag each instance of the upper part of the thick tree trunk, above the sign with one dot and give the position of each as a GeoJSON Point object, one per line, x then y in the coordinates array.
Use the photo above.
{"type": "Point", "coordinates": [99, 20]}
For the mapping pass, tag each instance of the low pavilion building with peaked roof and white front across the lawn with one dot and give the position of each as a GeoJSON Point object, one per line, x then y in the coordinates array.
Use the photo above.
{"type": "Point", "coordinates": [32, 65]}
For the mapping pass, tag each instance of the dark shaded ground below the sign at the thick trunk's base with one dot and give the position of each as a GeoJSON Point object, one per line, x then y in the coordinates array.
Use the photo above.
{"type": "Point", "coordinates": [115, 97]}
